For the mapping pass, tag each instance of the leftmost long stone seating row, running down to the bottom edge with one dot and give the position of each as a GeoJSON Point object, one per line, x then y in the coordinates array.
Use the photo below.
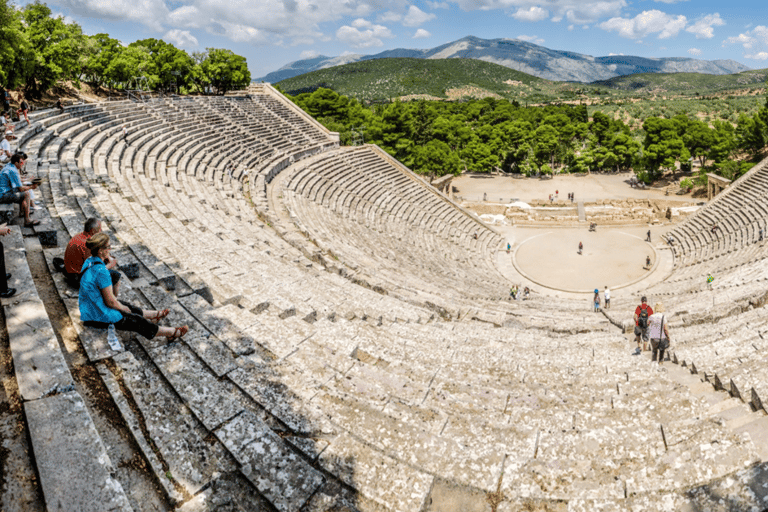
{"type": "Point", "coordinates": [59, 425]}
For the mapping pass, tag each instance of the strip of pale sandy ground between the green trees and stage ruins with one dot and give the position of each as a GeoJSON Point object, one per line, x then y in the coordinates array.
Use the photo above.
{"type": "Point", "coordinates": [589, 188]}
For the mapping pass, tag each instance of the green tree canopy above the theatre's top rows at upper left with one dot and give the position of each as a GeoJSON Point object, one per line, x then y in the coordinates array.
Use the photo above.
{"type": "Point", "coordinates": [37, 50]}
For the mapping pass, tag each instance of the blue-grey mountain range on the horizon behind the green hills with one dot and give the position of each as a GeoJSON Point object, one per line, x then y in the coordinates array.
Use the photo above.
{"type": "Point", "coordinates": [556, 65]}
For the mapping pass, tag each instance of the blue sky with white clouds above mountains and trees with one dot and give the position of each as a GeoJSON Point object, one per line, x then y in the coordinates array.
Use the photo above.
{"type": "Point", "coordinates": [273, 33]}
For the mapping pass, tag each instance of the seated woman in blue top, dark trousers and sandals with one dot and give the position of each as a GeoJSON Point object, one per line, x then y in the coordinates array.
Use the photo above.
{"type": "Point", "coordinates": [99, 307]}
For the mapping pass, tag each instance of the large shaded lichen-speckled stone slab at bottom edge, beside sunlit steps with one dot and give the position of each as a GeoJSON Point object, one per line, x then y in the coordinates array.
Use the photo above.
{"type": "Point", "coordinates": [281, 475]}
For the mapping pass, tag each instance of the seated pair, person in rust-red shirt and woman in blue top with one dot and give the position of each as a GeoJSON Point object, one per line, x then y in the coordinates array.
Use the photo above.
{"type": "Point", "coordinates": [88, 266]}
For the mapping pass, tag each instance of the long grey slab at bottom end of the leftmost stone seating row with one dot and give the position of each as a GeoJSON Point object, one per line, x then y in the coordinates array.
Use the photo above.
{"type": "Point", "coordinates": [75, 470]}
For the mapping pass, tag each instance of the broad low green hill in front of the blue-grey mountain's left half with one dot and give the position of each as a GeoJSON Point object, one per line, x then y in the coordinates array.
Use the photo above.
{"type": "Point", "coordinates": [389, 78]}
